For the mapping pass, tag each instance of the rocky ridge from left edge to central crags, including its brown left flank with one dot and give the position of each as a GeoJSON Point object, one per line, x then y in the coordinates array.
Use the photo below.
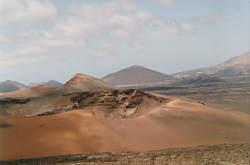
{"type": "Point", "coordinates": [106, 103]}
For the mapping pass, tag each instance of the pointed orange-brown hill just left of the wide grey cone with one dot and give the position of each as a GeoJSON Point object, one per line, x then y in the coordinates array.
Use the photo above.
{"type": "Point", "coordinates": [85, 82]}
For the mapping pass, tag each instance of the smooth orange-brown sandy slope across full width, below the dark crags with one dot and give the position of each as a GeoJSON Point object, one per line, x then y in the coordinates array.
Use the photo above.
{"type": "Point", "coordinates": [176, 124]}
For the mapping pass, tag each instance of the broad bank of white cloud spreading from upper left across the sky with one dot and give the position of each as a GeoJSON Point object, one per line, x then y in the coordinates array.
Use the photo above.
{"type": "Point", "coordinates": [80, 27]}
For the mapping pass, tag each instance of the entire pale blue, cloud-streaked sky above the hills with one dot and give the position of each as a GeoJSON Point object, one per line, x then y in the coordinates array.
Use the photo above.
{"type": "Point", "coordinates": [41, 40]}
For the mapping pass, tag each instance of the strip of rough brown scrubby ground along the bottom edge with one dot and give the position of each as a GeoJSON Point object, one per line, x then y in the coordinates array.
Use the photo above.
{"type": "Point", "coordinates": [230, 154]}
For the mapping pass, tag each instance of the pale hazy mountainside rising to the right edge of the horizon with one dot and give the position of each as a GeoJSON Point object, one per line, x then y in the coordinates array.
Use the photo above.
{"type": "Point", "coordinates": [236, 66]}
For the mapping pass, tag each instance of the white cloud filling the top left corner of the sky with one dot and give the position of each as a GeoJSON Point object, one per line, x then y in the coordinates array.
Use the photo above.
{"type": "Point", "coordinates": [25, 11]}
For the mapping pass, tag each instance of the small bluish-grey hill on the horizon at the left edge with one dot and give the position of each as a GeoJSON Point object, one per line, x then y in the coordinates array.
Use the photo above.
{"type": "Point", "coordinates": [9, 86]}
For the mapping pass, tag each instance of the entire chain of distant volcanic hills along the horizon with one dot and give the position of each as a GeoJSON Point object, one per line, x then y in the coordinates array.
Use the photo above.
{"type": "Point", "coordinates": [236, 69]}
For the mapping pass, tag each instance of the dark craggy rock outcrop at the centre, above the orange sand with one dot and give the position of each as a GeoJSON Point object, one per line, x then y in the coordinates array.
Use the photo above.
{"type": "Point", "coordinates": [115, 103]}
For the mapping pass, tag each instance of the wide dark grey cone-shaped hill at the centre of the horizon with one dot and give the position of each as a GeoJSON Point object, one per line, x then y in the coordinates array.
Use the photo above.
{"type": "Point", "coordinates": [137, 75]}
